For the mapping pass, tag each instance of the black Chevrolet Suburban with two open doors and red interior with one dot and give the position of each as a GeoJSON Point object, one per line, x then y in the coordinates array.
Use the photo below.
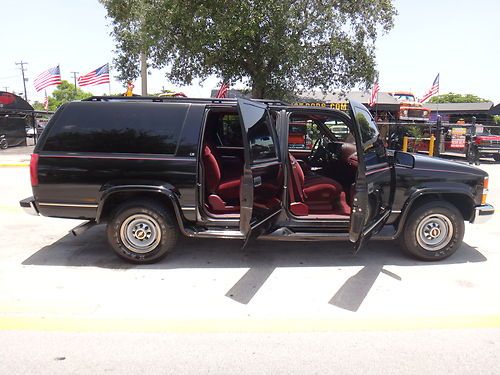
{"type": "Point", "coordinates": [153, 169]}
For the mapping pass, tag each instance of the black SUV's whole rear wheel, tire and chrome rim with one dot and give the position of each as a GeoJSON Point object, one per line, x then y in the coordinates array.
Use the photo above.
{"type": "Point", "coordinates": [142, 231]}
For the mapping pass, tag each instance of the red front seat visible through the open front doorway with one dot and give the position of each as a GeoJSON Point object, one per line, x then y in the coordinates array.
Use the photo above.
{"type": "Point", "coordinates": [314, 194]}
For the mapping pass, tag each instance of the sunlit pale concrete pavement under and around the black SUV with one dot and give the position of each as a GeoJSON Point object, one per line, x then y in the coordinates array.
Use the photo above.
{"type": "Point", "coordinates": [312, 301]}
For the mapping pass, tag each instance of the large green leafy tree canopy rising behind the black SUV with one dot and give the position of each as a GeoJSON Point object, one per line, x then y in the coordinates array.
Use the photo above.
{"type": "Point", "coordinates": [275, 47]}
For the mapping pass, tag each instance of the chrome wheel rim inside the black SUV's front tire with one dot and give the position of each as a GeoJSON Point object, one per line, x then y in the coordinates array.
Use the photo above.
{"type": "Point", "coordinates": [434, 232]}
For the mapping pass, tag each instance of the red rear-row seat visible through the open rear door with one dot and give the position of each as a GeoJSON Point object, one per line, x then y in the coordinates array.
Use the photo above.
{"type": "Point", "coordinates": [222, 196]}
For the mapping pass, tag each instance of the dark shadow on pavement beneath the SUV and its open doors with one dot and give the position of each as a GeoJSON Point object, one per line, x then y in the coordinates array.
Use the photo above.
{"type": "Point", "coordinates": [91, 249]}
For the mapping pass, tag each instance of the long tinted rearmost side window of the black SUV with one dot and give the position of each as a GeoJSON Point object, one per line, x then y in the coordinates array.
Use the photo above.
{"type": "Point", "coordinates": [145, 128]}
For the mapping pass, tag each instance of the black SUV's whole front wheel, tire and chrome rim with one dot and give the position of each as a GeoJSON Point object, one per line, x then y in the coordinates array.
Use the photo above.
{"type": "Point", "coordinates": [434, 231]}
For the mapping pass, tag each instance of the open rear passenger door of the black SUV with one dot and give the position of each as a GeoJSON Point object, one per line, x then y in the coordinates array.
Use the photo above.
{"type": "Point", "coordinates": [262, 184]}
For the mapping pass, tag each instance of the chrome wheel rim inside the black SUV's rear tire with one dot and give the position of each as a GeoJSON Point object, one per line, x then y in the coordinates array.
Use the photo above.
{"type": "Point", "coordinates": [140, 233]}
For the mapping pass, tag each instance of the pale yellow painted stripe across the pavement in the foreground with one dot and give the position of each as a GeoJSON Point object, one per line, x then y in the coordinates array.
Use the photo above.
{"type": "Point", "coordinates": [245, 325]}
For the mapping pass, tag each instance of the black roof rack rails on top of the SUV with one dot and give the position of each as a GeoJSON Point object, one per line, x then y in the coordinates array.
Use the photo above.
{"type": "Point", "coordinates": [176, 99]}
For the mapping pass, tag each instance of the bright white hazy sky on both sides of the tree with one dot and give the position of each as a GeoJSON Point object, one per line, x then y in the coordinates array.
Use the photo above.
{"type": "Point", "coordinates": [459, 39]}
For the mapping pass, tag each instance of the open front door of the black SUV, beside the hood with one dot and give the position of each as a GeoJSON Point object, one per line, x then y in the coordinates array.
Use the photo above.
{"type": "Point", "coordinates": [374, 180]}
